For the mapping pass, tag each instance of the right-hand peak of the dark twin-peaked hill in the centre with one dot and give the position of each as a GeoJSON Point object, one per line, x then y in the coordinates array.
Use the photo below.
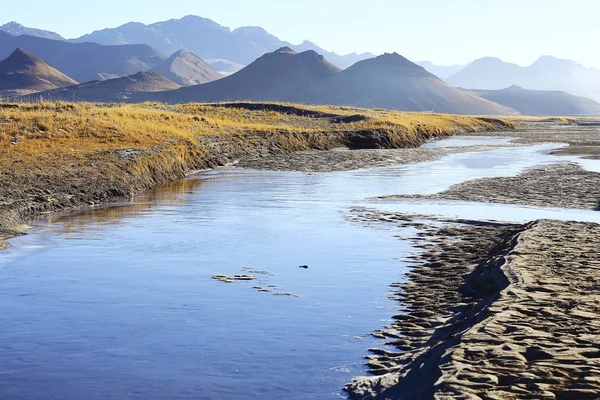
{"type": "Point", "coordinates": [391, 81]}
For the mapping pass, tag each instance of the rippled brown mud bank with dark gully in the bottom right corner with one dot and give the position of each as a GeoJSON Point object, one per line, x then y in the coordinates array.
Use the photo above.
{"type": "Point", "coordinates": [492, 311]}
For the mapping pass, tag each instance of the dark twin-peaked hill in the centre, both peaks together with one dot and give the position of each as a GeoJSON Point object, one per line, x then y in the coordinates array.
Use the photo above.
{"type": "Point", "coordinates": [389, 81]}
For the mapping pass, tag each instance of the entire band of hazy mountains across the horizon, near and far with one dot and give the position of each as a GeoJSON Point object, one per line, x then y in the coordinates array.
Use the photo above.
{"type": "Point", "coordinates": [138, 72]}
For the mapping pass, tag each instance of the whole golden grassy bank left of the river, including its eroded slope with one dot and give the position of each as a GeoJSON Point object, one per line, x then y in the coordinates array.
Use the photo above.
{"type": "Point", "coordinates": [59, 155]}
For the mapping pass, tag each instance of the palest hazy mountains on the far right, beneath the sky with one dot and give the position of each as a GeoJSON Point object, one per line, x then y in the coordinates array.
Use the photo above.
{"type": "Point", "coordinates": [547, 73]}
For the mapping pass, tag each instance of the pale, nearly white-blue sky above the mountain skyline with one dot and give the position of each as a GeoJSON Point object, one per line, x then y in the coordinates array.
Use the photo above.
{"type": "Point", "coordinates": [443, 31]}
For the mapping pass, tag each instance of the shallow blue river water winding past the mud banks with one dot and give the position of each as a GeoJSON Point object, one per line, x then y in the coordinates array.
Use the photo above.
{"type": "Point", "coordinates": [119, 302]}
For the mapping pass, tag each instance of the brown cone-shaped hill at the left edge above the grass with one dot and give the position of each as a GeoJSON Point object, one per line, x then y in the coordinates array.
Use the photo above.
{"type": "Point", "coordinates": [23, 73]}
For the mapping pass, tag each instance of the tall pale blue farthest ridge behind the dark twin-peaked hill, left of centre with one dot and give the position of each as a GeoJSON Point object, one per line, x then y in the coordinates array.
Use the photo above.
{"type": "Point", "coordinates": [242, 46]}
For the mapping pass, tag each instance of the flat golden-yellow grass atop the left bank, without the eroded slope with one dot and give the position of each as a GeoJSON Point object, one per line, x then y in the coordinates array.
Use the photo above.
{"type": "Point", "coordinates": [32, 130]}
